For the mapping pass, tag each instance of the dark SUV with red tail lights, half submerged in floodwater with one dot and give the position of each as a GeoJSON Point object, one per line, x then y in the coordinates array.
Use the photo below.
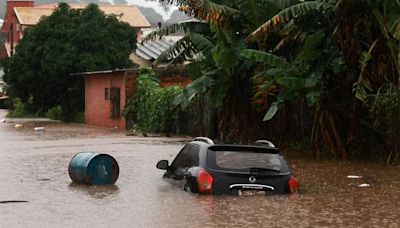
{"type": "Point", "coordinates": [230, 169]}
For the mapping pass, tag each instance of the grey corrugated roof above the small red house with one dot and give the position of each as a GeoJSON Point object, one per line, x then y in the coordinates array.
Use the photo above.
{"type": "Point", "coordinates": [152, 49]}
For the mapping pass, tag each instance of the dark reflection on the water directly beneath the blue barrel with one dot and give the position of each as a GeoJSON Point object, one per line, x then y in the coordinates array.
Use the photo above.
{"type": "Point", "coordinates": [95, 191]}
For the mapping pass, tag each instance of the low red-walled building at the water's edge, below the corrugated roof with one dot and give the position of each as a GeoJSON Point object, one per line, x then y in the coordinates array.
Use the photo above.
{"type": "Point", "coordinates": [106, 93]}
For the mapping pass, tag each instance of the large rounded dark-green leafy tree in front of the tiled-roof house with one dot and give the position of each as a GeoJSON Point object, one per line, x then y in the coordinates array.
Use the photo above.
{"type": "Point", "coordinates": [68, 41]}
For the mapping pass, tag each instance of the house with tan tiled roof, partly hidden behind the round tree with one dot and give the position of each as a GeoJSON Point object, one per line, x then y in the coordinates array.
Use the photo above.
{"type": "Point", "coordinates": [21, 14]}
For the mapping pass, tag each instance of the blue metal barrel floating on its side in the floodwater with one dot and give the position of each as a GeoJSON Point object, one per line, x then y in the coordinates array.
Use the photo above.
{"type": "Point", "coordinates": [93, 168]}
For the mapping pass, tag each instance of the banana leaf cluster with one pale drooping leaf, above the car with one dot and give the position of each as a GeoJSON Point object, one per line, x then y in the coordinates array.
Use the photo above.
{"type": "Point", "coordinates": [294, 78]}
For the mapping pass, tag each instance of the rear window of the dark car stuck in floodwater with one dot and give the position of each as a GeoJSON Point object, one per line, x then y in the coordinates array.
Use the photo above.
{"type": "Point", "coordinates": [245, 159]}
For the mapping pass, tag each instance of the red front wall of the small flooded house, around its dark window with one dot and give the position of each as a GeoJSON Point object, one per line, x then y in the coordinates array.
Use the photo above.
{"type": "Point", "coordinates": [97, 108]}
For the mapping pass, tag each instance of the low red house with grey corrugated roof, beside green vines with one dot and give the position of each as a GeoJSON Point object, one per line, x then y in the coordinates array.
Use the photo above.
{"type": "Point", "coordinates": [106, 92]}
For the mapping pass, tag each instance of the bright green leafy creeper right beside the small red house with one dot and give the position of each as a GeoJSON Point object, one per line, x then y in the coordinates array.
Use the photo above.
{"type": "Point", "coordinates": [153, 109]}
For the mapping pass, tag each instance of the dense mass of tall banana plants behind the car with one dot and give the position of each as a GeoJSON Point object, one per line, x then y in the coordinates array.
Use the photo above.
{"type": "Point", "coordinates": [325, 71]}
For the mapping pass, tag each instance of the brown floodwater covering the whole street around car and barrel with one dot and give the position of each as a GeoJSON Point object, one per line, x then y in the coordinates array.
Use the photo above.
{"type": "Point", "coordinates": [34, 169]}
